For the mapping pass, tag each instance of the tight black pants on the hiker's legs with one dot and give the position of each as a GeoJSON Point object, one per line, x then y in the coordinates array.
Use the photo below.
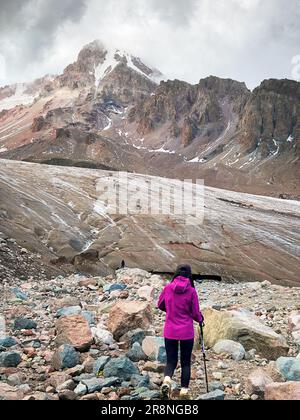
{"type": "Point", "coordinates": [186, 348]}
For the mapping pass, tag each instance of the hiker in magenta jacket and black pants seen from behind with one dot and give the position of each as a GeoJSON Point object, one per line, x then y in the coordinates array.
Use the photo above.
{"type": "Point", "coordinates": [179, 300]}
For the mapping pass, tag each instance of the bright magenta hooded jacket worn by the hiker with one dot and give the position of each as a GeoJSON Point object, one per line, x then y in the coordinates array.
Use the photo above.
{"type": "Point", "coordinates": [180, 302]}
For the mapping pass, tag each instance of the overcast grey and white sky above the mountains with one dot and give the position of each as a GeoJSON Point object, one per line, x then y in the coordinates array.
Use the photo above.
{"type": "Point", "coordinates": [247, 40]}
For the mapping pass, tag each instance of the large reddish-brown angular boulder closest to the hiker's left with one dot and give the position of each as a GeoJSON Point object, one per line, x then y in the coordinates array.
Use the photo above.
{"type": "Point", "coordinates": [126, 316]}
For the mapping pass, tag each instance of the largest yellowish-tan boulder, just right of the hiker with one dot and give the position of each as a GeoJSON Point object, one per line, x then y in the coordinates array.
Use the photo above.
{"type": "Point", "coordinates": [242, 326]}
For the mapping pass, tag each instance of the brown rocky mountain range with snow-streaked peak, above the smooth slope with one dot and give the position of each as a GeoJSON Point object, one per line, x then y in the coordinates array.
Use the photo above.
{"type": "Point", "coordinates": [110, 110]}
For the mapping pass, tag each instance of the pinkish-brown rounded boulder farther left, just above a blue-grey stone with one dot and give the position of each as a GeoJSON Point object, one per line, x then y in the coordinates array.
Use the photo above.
{"type": "Point", "coordinates": [75, 331]}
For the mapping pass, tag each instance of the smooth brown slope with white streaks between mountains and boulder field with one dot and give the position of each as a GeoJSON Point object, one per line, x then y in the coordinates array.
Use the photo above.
{"type": "Point", "coordinates": [63, 216]}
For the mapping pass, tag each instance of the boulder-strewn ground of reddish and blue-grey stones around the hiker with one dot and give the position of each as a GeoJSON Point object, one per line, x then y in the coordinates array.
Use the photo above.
{"type": "Point", "coordinates": [99, 338]}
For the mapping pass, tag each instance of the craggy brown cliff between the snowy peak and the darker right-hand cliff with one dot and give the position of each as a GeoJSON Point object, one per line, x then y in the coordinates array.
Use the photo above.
{"type": "Point", "coordinates": [190, 112]}
